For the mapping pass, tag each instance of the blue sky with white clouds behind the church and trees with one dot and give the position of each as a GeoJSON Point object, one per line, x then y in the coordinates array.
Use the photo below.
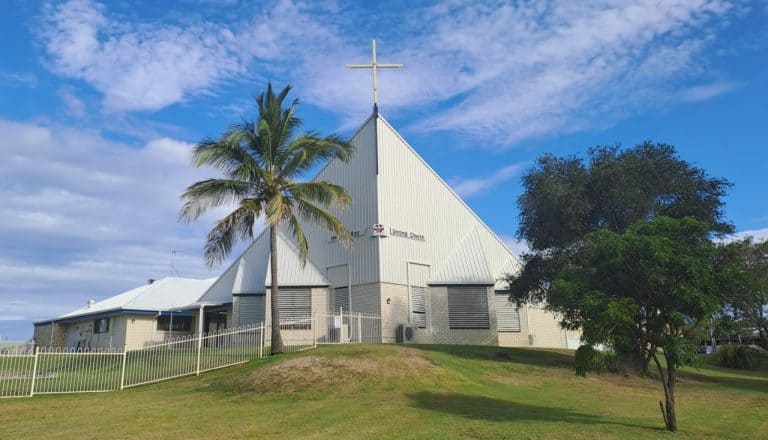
{"type": "Point", "coordinates": [100, 103]}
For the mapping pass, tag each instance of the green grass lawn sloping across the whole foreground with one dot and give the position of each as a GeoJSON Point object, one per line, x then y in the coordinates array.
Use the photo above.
{"type": "Point", "coordinates": [390, 391]}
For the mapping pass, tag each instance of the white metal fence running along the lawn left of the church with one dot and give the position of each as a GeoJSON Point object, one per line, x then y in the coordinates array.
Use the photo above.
{"type": "Point", "coordinates": [26, 371]}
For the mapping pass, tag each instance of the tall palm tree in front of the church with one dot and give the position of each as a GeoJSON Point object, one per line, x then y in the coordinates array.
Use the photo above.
{"type": "Point", "coordinates": [262, 162]}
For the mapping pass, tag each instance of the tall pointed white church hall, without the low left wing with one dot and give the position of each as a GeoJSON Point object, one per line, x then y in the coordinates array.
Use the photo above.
{"type": "Point", "coordinates": [421, 259]}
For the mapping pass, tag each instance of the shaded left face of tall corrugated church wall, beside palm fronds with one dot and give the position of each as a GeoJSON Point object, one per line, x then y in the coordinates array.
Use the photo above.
{"type": "Point", "coordinates": [358, 177]}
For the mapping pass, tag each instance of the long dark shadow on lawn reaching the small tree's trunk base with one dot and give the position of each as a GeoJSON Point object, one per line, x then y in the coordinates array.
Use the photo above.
{"type": "Point", "coordinates": [499, 410]}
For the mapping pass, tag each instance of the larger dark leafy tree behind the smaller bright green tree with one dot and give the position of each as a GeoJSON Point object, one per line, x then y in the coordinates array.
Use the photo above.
{"type": "Point", "coordinates": [566, 198]}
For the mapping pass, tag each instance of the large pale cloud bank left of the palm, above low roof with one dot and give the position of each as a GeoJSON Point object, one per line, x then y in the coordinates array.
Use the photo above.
{"type": "Point", "coordinates": [84, 217]}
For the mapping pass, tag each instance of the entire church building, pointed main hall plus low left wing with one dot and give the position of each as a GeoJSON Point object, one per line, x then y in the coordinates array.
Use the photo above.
{"type": "Point", "coordinates": [422, 260]}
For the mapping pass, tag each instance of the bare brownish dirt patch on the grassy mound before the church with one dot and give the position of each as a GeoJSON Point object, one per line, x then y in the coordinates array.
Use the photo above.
{"type": "Point", "coordinates": [314, 372]}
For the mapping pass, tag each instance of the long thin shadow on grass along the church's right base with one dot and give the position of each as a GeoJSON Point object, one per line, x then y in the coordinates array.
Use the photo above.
{"type": "Point", "coordinates": [528, 356]}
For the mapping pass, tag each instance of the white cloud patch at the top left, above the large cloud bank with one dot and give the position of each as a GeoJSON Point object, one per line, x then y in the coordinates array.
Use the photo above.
{"type": "Point", "coordinates": [137, 67]}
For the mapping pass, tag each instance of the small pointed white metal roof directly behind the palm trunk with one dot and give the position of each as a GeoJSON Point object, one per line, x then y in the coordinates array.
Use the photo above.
{"type": "Point", "coordinates": [250, 272]}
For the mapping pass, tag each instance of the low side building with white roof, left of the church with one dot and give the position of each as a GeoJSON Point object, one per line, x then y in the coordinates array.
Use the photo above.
{"type": "Point", "coordinates": [131, 319]}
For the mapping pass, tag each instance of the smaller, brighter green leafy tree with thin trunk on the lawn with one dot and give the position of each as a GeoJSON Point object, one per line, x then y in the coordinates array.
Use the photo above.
{"type": "Point", "coordinates": [664, 276]}
